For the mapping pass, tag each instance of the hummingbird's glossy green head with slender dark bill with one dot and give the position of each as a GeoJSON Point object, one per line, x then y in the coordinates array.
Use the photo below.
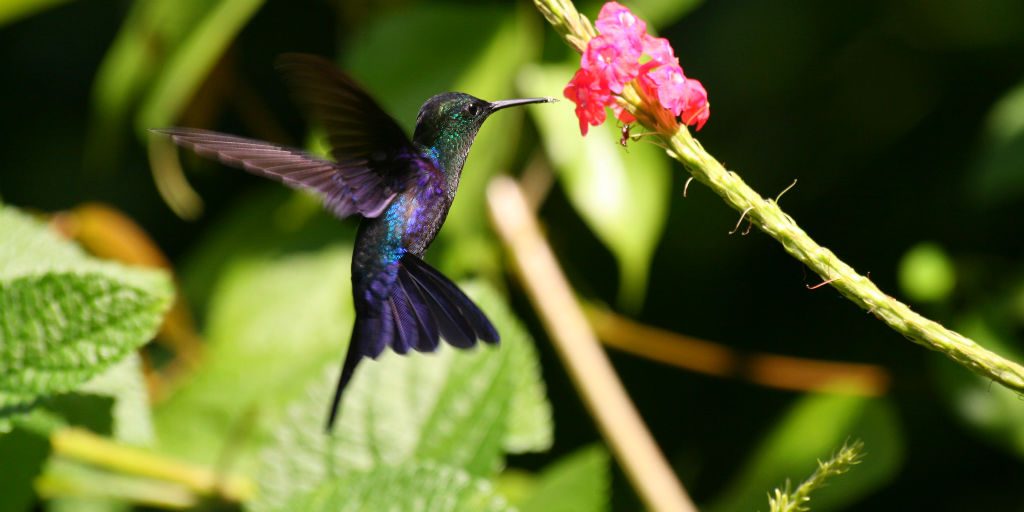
{"type": "Point", "coordinates": [449, 122]}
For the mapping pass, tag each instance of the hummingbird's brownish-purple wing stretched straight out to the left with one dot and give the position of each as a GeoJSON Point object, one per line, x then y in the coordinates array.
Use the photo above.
{"type": "Point", "coordinates": [348, 188]}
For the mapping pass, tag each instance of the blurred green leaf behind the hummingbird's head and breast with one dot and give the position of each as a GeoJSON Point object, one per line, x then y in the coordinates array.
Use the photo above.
{"type": "Point", "coordinates": [478, 50]}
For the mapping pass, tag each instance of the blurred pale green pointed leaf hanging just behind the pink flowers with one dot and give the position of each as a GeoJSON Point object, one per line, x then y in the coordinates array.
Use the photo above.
{"type": "Point", "coordinates": [623, 195]}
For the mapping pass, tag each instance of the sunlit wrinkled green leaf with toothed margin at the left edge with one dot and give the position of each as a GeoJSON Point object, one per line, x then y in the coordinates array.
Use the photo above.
{"type": "Point", "coordinates": [67, 317]}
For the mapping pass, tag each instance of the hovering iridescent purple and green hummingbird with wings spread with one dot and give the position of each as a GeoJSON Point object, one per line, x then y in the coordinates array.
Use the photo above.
{"type": "Point", "coordinates": [402, 189]}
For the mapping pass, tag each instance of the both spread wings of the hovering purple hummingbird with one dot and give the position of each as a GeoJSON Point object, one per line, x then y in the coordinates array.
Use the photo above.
{"type": "Point", "coordinates": [374, 158]}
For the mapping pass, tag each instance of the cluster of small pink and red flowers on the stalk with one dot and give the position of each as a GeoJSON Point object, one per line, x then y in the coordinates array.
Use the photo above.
{"type": "Point", "coordinates": [623, 53]}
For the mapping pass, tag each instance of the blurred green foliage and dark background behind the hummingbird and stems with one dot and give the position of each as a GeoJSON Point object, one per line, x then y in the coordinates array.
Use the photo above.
{"type": "Point", "coordinates": [903, 120]}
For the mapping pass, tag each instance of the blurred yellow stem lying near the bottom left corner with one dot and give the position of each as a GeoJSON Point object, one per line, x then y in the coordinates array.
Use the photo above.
{"type": "Point", "coordinates": [87, 447]}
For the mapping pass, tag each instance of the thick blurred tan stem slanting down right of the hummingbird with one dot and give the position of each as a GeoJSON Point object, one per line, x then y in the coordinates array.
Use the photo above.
{"type": "Point", "coordinates": [588, 366]}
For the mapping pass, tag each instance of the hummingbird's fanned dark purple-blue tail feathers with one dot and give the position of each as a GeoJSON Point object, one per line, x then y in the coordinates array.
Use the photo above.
{"type": "Point", "coordinates": [422, 307]}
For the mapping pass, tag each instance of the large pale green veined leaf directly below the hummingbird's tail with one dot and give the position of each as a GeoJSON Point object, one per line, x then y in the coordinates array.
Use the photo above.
{"type": "Point", "coordinates": [452, 408]}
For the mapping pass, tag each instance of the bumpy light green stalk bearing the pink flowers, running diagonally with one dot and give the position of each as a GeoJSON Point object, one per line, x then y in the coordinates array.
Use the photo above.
{"type": "Point", "coordinates": [639, 101]}
